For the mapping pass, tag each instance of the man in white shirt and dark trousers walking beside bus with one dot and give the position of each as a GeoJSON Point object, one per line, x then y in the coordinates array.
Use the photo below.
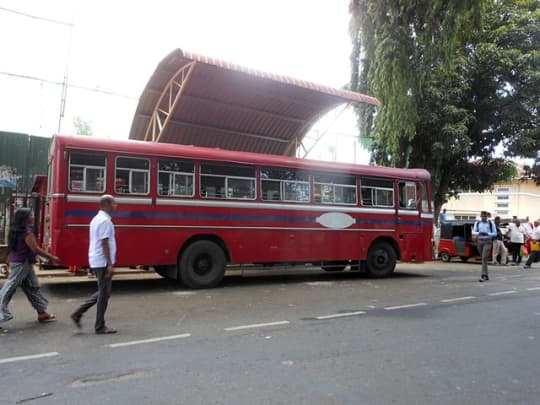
{"type": "Point", "coordinates": [101, 257]}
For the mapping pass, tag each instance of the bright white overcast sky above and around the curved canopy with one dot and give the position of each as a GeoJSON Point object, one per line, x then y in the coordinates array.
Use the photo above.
{"type": "Point", "coordinates": [115, 46]}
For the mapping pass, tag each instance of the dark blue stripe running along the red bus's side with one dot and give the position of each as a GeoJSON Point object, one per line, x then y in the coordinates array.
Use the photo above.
{"type": "Point", "coordinates": [234, 217]}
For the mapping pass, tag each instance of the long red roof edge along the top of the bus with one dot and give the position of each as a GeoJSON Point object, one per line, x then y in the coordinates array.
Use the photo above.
{"type": "Point", "coordinates": [141, 148]}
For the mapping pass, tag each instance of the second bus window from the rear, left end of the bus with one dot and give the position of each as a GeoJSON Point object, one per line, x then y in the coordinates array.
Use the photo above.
{"type": "Point", "coordinates": [132, 175]}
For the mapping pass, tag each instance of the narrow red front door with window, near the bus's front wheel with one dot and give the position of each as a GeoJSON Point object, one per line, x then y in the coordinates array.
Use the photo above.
{"type": "Point", "coordinates": [409, 224]}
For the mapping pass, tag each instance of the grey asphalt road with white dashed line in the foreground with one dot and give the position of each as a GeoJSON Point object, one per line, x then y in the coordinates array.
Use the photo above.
{"type": "Point", "coordinates": [429, 335]}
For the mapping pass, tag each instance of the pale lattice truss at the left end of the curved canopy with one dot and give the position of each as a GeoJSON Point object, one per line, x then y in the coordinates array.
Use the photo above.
{"type": "Point", "coordinates": [168, 100]}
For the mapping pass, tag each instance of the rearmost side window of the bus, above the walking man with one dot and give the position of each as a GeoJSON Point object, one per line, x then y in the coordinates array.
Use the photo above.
{"type": "Point", "coordinates": [87, 172]}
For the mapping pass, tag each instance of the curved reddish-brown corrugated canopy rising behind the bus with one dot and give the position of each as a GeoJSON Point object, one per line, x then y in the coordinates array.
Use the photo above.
{"type": "Point", "coordinates": [193, 99]}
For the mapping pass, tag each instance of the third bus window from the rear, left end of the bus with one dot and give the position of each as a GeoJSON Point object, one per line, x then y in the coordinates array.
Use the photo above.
{"type": "Point", "coordinates": [176, 178]}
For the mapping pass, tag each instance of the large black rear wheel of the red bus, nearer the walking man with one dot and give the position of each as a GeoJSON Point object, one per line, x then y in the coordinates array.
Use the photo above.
{"type": "Point", "coordinates": [202, 265]}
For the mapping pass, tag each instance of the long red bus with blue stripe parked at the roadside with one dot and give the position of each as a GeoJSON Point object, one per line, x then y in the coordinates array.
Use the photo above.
{"type": "Point", "coordinates": [190, 211]}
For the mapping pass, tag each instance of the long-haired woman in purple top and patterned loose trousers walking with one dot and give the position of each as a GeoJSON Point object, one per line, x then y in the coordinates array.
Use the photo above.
{"type": "Point", "coordinates": [23, 249]}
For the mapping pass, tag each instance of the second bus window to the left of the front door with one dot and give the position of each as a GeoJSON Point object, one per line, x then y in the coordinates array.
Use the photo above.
{"type": "Point", "coordinates": [334, 189]}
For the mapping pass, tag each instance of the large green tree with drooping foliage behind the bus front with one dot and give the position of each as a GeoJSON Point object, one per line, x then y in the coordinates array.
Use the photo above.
{"type": "Point", "coordinates": [456, 79]}
